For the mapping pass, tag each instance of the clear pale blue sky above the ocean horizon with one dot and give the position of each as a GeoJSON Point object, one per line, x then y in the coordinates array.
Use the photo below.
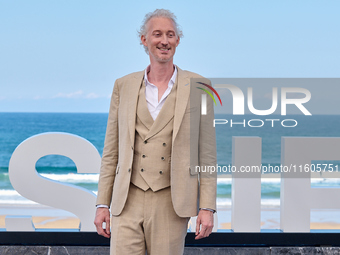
{"type": "Point", "coordinates": [64, 56]}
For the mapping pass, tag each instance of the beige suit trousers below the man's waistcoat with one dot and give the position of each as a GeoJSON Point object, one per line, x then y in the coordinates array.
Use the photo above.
{"type": "Point", "coordinates": [149, 223]}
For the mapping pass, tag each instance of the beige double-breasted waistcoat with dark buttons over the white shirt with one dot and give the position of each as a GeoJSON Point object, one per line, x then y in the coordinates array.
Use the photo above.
{"type": "Point", "coordinates": [153, 142]}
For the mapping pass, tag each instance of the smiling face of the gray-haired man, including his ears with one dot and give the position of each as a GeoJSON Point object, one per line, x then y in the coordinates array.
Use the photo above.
{"type": "Point", "coordinates": [161, 39]}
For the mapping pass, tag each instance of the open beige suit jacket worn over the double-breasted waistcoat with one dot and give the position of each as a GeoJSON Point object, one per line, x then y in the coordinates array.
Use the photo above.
{"type": "Point", "coordinates": [193, 147]}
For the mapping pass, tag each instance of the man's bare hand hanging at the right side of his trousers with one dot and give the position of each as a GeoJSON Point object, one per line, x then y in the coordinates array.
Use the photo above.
{"type": "Point", "coordinates": [204, 224]}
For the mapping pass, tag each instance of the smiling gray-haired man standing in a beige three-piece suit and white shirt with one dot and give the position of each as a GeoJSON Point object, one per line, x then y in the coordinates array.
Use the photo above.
{"type": "Point", "coordinates": [154, 139]}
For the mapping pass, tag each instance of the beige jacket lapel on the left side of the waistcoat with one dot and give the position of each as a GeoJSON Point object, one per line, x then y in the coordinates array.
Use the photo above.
{"type": "Point", "coordinates": [133, 92]}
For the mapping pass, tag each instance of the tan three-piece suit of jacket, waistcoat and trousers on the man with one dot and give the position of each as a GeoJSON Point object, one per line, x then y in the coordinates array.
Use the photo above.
{"type": "Point", "coordinates": [148, 166]}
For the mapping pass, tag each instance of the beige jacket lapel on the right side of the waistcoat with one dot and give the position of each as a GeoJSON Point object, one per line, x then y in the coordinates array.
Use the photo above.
{"type": "Point", "coordinates": [182, 98]}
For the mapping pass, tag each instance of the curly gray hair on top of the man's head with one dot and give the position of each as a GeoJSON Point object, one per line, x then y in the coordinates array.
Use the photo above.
{"type": "Point", "coordinates": [158, 13]}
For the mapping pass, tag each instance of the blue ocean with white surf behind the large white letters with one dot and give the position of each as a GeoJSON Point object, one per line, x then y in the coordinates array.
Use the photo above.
{"type": "Point", "coordinates": [16, 127]}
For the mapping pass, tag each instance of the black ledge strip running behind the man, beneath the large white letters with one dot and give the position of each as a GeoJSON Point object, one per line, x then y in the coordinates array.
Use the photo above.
{"type": "Point", "coordinates": [219, 240]}
